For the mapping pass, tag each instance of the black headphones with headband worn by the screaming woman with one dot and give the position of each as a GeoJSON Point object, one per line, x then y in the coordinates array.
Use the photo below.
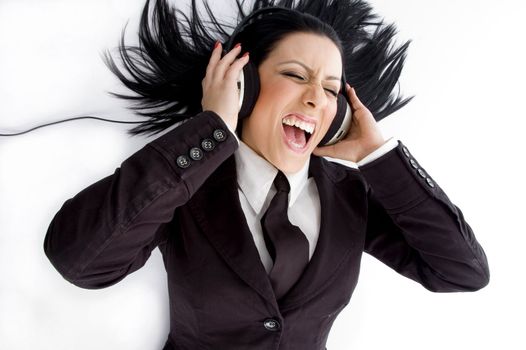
{"type": "Point", "coordinates": [248, 84]}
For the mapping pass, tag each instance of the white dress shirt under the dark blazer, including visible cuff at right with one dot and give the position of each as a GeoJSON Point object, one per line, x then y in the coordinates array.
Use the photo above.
{"type": "Point", "coordinates": [255, 177]}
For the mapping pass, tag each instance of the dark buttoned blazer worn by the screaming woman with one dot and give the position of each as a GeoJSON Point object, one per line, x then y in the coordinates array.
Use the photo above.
{"type": "Point", "coordinates": [180, 193]}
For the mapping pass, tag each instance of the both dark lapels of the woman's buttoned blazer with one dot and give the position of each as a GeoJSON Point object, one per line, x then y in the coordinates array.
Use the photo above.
{"type": "Point", "coordinates": [218, 212]}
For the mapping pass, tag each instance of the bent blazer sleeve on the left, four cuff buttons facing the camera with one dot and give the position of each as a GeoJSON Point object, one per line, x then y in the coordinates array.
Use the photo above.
{"type": "Point", "coordinates": [109, 229]}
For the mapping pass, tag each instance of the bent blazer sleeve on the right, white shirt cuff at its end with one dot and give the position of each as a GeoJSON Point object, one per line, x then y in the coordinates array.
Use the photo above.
{"type": "Point", "coordinates": [414, 228]}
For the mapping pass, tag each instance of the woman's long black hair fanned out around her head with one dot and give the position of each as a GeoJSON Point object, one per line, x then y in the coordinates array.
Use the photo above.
{"type": "Point", "coordinates": [166, 68]}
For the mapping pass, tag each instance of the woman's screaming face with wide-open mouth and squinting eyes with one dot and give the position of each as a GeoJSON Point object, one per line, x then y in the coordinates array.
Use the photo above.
{"type": "Point", "coordinates": [300, 80]}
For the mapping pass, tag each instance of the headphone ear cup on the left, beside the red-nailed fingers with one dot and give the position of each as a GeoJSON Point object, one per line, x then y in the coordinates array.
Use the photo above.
{"type": "Point", "coordinates": [248, 86]}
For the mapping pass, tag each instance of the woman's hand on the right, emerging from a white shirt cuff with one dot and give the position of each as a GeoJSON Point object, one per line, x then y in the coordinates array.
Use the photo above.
{"type": "Point", "coordinates": [363, 137]}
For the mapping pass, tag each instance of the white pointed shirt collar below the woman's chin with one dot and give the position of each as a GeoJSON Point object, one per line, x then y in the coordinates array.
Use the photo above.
{"type": "Point", "coordinates": [255, 176]}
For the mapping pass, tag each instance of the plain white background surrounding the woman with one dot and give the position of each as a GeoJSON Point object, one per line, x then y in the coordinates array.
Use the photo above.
{"type": "Point", "coordinates": [465, 126]}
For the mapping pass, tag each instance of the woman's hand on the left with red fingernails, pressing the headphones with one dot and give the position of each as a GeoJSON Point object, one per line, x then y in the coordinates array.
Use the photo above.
{"type": "Point", "coordinates": [220, 92]}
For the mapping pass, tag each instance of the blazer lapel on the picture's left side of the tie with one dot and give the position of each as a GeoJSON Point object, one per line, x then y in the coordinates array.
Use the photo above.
{"type": "Point", "coordinates": [218, 211]}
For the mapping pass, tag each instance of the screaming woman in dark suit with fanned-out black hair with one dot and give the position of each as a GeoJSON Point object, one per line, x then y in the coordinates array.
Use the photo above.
{"type": "Point", "coordinates": [207, 197]}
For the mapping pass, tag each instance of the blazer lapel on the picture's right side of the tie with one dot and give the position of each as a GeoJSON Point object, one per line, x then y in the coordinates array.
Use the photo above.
{"type": "Point", "coordinates": [339, 233]}
